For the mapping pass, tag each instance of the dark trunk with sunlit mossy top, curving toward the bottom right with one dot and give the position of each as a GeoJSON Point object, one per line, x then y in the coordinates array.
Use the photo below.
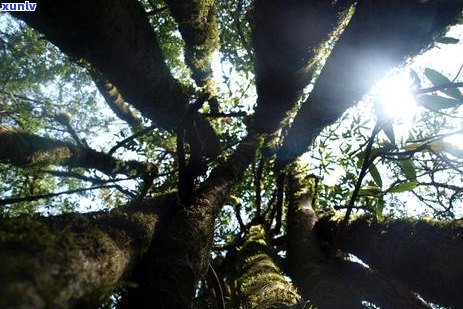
{"type": "Point", "coordinates": [330, 281]}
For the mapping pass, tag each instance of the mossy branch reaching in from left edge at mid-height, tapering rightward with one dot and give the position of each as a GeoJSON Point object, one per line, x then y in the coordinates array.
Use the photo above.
{"type": "Point", "coordinates": [28, 150]}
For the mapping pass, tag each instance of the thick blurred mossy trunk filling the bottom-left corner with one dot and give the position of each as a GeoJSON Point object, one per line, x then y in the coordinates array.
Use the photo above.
{"type": "Point", "coordinates": [73, 260]}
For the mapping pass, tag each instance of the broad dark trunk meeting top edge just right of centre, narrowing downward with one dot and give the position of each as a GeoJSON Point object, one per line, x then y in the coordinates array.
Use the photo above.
{"type": "Point", "coordinates": [286, 35]}
